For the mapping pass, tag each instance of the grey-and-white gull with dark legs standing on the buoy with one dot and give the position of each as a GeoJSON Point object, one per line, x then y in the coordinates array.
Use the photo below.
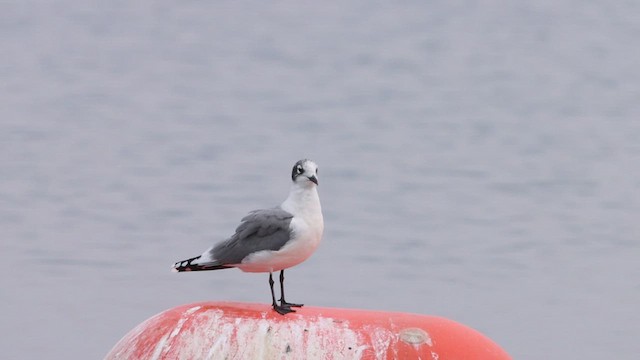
{"type": "Point", "coordinates": [271, 240]}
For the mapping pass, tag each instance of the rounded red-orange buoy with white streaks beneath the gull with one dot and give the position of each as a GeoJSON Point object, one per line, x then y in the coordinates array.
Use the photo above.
{"type": "Point", "coordinates": [225, 330]}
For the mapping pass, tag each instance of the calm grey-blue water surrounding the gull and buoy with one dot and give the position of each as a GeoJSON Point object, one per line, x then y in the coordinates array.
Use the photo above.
{"type": "Point", "coordinates": [478, 161]}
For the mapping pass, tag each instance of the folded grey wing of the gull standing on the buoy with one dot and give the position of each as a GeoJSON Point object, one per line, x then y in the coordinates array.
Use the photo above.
{"type": "Point", "coordinates": [266, 229]}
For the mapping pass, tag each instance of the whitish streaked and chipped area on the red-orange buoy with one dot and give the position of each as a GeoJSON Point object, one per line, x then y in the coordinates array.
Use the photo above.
{"type": "Point", "coordinates": [242, 338]}
